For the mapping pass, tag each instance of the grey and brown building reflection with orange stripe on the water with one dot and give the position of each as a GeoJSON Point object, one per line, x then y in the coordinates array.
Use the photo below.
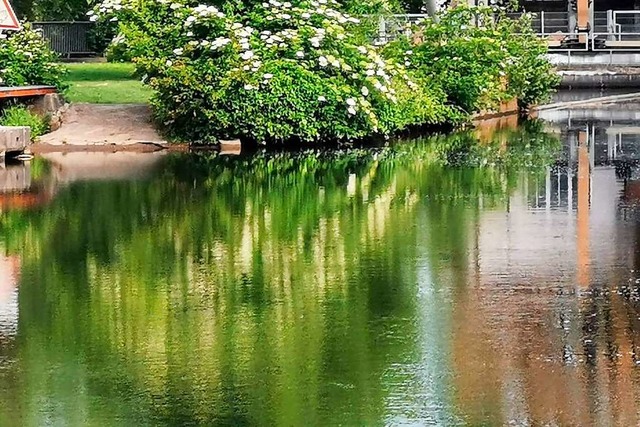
{"type": "Point", "coordinates": [542, 327]}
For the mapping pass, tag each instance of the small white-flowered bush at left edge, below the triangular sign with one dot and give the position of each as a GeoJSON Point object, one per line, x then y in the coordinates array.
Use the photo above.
{"type": "Point", "coordinates": [25, 59]}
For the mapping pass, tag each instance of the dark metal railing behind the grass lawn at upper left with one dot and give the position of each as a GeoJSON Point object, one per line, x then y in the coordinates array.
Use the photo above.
{"type": "Point", "coordinates": [67, 38]}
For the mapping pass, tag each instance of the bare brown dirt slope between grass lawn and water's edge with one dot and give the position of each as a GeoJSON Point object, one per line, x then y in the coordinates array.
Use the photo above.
{"type": "Point", "coordinates": [104, 125]}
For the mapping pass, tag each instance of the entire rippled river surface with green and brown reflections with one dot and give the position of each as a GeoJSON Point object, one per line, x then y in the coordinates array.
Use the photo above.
{"type": "Point", "coordinates": [432, 282]}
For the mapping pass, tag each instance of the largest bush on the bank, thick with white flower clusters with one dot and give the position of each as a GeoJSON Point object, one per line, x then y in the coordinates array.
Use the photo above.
{"type": "Point", "coordinates": [275, 72]}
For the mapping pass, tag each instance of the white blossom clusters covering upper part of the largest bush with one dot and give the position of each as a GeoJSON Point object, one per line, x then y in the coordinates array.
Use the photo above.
{"type": "Point", "coordinates": [312, 33]}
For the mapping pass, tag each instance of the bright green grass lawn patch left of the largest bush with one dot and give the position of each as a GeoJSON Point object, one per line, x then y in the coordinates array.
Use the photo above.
{"type": "Point", "coordinates": [105, 83]}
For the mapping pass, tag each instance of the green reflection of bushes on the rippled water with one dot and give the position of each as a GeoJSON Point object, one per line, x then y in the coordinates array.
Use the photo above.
{"type": "Point", "coordinates": [273, 289]}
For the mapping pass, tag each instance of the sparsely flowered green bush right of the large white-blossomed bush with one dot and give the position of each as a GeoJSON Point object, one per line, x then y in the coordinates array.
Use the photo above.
{"type": "Point", "coordinates": [478, 56]}
